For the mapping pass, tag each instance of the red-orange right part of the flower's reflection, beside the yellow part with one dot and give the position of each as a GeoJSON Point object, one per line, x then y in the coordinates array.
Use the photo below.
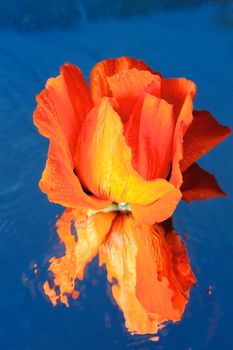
{"type": "Point", "coordinates": [164, 275]}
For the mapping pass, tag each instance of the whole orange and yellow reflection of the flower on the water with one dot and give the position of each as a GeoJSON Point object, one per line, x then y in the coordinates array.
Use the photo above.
{"type": "Point", "coordinates": [148, 266]}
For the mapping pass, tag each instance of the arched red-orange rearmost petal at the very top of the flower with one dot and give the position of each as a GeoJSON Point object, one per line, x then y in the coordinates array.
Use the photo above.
{"type": "Point", "coordinates": [108, 68]}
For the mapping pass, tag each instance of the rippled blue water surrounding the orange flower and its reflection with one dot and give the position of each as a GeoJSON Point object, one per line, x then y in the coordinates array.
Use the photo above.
{"type": "Point", "coordinates": [196, 43]}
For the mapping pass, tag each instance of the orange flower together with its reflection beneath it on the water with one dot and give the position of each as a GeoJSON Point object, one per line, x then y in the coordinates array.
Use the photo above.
{"type": "Point", "coordinates": [122, 154]}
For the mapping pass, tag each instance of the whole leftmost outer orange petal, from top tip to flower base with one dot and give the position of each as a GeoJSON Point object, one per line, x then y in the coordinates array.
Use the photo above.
{"type": "Point", "coordinates": [58, 117]}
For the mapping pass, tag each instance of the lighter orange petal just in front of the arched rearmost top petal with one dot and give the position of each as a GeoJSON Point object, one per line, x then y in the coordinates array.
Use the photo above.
{"type": "Point", "coordinates": [128, 86]}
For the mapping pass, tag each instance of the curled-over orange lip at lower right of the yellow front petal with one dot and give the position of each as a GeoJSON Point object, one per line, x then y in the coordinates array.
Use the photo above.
{"type": "Point", "coordinates": [158, 211]}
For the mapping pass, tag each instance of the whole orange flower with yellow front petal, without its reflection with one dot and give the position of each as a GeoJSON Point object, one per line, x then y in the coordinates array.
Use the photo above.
{"type": "Point", "coordinates": [121, 140]}
